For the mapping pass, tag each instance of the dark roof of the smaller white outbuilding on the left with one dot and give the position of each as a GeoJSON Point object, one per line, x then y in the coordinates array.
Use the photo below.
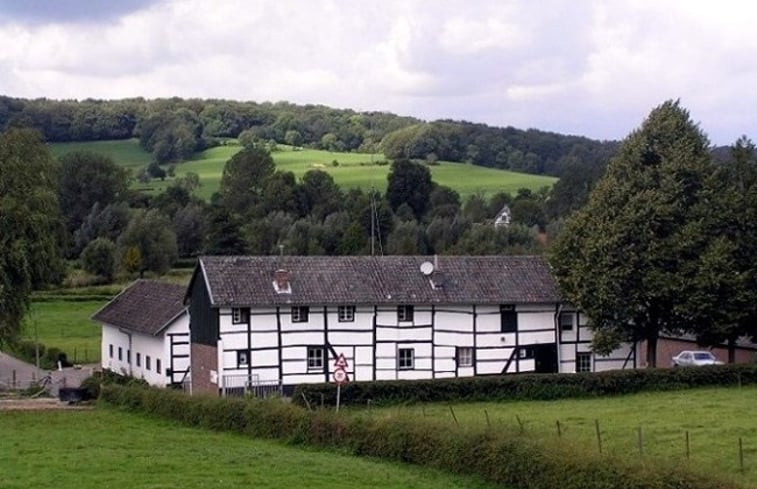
{"type": "Point", "coordinates": [144, 307]}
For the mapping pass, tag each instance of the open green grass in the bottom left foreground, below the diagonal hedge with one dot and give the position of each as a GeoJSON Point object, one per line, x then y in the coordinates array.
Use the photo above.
{"type": "Point", "coordinates": [107, 448]}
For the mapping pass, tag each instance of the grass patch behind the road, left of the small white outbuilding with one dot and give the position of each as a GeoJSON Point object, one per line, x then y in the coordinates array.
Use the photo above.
{"type": "Point", "coordinates": [66, 325]}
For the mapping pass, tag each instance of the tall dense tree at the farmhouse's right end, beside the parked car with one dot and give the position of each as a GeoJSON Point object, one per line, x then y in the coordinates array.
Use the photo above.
{"type": "Point", "coordinates": [628, 258]}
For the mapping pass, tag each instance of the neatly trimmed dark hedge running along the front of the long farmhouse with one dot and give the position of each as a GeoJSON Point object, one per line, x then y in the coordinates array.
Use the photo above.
{"type": "Point", "coordinates": [526, 386]}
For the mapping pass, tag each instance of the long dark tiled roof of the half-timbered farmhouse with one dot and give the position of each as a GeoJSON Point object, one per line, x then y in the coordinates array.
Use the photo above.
{"type": "Point", "coordinates": [248, 280]}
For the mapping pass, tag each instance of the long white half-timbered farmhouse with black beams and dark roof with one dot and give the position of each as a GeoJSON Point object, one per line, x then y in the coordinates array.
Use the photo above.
{"type": "Point", "coordinates": [281, 321]}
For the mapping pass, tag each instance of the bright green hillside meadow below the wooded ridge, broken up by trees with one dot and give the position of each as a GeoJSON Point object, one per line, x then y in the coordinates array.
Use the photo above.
{"type": "Point", "coordinates": [353, 170]}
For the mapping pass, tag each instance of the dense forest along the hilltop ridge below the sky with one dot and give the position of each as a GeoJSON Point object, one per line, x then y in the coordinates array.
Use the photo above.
{"type": "Point", "coordinates": [172, 129]}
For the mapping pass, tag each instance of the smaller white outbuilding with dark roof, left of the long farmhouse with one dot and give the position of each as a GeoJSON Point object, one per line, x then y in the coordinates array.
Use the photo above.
{"type": "Point", "coordinates": [145, 333]}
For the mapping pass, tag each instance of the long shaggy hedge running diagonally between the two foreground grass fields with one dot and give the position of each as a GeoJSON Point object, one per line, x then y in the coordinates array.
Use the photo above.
{"type": "Point", "coordinates": [499, 456]}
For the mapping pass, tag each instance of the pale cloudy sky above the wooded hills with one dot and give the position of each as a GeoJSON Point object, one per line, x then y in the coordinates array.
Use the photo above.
{"type": "Point", "coordinates": [574, 67]}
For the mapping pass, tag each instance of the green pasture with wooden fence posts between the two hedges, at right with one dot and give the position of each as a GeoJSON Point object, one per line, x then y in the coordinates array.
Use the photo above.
{"type": "Point", "coordinates": [714, 417]}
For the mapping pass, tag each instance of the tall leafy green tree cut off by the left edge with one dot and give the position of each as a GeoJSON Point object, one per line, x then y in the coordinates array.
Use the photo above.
{"type": "Point", "coordinates": [29, 225]}
